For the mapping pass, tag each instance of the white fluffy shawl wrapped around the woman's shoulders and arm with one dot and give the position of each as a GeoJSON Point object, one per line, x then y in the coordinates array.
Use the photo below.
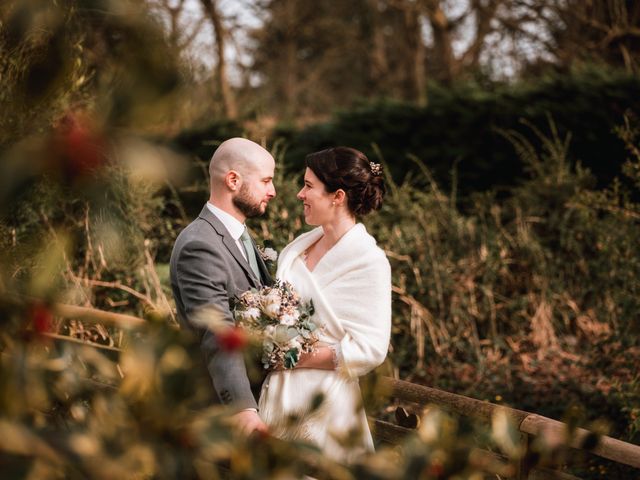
{"type": "Point", "coordinates": [351, 291]}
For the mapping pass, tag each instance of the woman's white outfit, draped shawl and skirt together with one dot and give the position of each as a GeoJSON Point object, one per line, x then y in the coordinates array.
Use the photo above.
{"type": "Point", "coordinates": [351, 292]}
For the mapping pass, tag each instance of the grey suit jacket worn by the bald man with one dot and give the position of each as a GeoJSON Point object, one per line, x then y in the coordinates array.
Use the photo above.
{"type": "Point", "coordinates": [207, 269]}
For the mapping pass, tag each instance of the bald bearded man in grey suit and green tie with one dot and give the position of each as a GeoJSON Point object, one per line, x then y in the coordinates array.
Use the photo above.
{"type": "Point", "coordinates": [214, 260]}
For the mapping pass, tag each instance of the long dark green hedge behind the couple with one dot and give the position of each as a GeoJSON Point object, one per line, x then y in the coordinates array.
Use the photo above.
{"type": "Point", "coordinates": [458, 130]}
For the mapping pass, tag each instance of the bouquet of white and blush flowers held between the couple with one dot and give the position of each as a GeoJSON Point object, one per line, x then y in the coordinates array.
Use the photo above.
{"type": "Point", "coordinates": [277, 315]}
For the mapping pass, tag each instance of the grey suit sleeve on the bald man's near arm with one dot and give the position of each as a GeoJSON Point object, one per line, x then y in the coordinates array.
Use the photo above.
{"type": "Point", "coordinates": [203, 282]}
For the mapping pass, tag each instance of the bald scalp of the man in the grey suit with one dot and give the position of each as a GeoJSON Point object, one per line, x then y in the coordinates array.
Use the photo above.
{"type": "Point", "coordinates": [240, 155]}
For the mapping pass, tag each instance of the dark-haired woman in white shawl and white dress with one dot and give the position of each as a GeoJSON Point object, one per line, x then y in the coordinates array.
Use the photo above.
{"type": "Point", "coordinates": [339, 267]}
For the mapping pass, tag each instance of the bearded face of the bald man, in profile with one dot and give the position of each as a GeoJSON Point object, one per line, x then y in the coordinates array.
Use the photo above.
{"type": "Point", "coordinates": [256, 189]}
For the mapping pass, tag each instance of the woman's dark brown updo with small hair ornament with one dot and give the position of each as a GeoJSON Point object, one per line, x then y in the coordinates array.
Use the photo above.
{"type": "Point", "coordinates": [350, 170]}
